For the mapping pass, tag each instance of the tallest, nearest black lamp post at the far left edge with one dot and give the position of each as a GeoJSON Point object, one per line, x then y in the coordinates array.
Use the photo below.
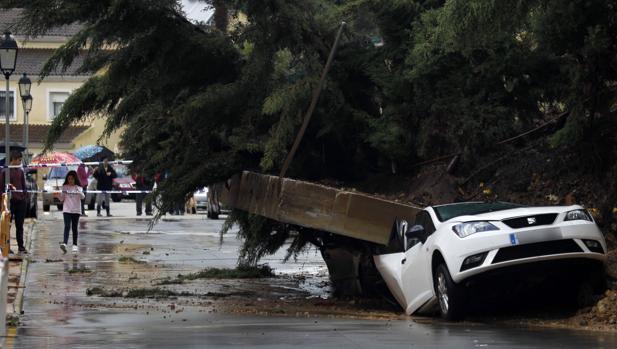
{"type": "Point", "coordinates": [8, 59]}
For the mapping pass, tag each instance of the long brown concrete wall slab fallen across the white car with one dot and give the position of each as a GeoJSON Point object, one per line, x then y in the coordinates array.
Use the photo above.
{"type": "Point", "coordinates": [310, 205]}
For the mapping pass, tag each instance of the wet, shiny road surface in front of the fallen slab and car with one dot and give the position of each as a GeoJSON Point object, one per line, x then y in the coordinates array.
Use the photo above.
{"type": "Point", "coordinates": [59, 313]}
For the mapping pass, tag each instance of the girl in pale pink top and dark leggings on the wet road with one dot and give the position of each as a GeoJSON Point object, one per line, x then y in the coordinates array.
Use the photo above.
{"type": "Point", "coordinates": [72, 194]}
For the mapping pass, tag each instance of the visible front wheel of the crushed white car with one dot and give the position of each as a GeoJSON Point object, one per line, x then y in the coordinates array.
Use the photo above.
{"type": "Point", "coordinates": [451, 297]}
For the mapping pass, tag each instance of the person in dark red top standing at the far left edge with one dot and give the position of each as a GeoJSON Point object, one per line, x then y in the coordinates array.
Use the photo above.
{"type": "Point", "coordinates": [18, 197]}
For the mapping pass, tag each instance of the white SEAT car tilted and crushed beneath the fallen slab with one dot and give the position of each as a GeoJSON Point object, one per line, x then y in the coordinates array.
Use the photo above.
{"type": "Point", "coordinates": [431, 261]}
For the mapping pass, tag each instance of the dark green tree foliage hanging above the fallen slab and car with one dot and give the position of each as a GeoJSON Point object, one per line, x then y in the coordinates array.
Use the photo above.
{"type": "Point", "coordinates": [412, 80]}
